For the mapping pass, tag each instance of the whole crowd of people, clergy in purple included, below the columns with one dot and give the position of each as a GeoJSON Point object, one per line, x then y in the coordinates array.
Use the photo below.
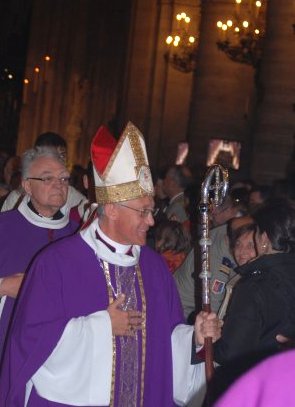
{"type": "Point", "coordinates": [99, 279]}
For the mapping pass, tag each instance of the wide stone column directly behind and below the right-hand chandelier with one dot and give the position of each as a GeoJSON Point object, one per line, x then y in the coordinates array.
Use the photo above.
{"type": "Point", "coordinates": [223, 93]}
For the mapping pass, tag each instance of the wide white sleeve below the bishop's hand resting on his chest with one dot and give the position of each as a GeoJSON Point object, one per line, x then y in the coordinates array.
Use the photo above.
{"type": "Point", "coordinates": [79, 370]}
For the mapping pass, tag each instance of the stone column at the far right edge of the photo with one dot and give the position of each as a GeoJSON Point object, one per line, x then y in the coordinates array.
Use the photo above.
{"type": "Point", "coordinates": [273, 137]}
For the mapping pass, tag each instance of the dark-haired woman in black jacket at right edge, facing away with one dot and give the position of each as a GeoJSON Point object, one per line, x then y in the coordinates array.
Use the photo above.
{"type": "Point", "coordinates": [263, 301]}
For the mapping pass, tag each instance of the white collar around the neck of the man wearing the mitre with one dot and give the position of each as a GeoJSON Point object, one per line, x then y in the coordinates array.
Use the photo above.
{"type": "Point", "coordinates": [104, 247]}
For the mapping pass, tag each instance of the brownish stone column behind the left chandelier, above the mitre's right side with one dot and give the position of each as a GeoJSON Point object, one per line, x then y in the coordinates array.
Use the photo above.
{"type": "Point", "coordinates": [157, 97]}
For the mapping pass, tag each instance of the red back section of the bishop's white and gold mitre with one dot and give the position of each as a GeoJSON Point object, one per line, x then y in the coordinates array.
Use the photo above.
{"type": "Point", "coordinates": [102, 148]}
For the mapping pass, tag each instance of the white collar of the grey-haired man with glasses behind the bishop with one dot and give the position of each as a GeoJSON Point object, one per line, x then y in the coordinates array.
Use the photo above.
{"type": "Point", "coordinates": [31, 215]}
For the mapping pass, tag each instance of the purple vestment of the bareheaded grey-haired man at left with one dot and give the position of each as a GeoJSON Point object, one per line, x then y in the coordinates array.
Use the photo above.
{"type": "Point", "coordinates": [20, 240]}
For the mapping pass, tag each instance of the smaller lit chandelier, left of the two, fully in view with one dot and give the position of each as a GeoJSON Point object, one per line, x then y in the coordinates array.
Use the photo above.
{"type": "Point", "coordinates": [182, 47]}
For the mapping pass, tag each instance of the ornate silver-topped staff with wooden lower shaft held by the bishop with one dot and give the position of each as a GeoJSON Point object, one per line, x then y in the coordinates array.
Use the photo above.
{"type": "Point", "coordinates": [213, 191]}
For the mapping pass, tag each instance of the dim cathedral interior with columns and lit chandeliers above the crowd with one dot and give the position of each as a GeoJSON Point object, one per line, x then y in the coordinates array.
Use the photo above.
{"type": "Point", "coordinates": [215, 77]}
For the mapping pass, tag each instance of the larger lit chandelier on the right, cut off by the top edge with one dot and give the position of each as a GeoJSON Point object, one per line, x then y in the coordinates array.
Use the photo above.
{"type": "Point", "coordinates": [241, 36]}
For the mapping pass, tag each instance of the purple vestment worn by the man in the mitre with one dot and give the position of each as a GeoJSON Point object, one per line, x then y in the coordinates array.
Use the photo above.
{"type": "Point", "coordinates": [67, 281]}
